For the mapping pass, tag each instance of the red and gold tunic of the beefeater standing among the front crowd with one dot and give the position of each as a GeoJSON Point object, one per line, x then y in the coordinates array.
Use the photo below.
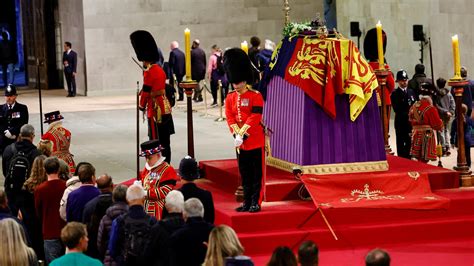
{"type": "Point", "coordinates": [158, 183]}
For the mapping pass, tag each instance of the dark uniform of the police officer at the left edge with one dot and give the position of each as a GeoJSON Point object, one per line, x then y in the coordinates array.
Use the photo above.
{"type": "Point", "coordinates": [12, 120]}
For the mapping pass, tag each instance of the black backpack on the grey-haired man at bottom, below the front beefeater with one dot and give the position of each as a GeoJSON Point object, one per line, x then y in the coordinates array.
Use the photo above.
{"type": "Point", "coordinates": [136, 238]}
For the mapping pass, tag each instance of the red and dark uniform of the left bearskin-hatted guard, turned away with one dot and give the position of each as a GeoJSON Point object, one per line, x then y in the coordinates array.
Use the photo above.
{"type": "Point", "coordinates": [158, 109]}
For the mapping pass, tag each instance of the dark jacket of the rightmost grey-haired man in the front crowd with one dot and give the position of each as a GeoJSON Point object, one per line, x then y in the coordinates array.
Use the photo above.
{"type": "Point", "coordinates": [187, 244]}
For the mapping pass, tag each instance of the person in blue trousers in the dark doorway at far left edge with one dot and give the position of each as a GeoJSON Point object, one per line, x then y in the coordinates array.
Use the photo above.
{"type": "Point", "coordinates": [8, 58]}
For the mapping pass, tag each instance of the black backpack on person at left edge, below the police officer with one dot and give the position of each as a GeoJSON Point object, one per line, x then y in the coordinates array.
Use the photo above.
{"type": "Point", "coordinates": [18, 170]}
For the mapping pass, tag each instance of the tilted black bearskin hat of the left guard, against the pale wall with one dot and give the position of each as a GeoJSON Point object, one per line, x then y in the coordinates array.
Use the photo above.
{"type": "Point", "coordinates": [145, 46]}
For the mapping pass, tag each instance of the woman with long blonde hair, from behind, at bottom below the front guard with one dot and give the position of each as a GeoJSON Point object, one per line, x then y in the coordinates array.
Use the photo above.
{"type": "Point", "coordinates": [224, 248]}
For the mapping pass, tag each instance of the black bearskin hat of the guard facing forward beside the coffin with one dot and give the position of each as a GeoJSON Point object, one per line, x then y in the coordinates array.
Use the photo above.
{"type": "Point", "coordinates": [237, 66]}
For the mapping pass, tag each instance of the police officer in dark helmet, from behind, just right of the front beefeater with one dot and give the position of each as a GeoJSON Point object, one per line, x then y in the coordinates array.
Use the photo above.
{"type": "Point", "coordinates": [189, 171]}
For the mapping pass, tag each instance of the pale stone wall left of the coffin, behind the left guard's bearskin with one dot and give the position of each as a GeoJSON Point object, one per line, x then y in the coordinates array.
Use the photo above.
{"type": "Point", "coordinates": [108, 24]}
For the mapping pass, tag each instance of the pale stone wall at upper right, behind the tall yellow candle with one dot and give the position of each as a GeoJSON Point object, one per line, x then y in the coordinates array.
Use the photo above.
{"type": "Point", "coordinates": [440, 19]}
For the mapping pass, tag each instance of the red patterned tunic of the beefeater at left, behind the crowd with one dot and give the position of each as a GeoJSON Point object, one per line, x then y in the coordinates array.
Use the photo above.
{"type": "Point", "coordinates": [61, 139]}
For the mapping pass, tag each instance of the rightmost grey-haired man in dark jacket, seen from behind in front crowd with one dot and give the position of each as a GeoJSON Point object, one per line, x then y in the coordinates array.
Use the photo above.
{"type": "Point", "coordinates": [188, 243]}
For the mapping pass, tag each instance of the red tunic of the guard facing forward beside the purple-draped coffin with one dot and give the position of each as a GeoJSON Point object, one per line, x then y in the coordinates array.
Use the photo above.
{"type": "Point", "coordinates": [246, 109]}
